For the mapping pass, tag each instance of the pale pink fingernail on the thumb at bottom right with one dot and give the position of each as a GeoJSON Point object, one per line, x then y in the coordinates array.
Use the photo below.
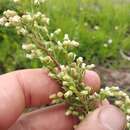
{"type": "Point", "coordinates": [112, 118]}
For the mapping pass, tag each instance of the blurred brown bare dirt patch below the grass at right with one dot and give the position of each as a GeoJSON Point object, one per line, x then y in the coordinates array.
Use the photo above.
{"type": "Point", "coordinates": [114, 77]}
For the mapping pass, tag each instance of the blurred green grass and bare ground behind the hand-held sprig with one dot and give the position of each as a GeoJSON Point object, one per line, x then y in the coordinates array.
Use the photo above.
{"type": "Point", "coordinates": [102, 27]}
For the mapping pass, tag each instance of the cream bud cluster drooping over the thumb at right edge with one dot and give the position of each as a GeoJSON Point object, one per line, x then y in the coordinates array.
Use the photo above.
{"type": "Point", "coordinates": [122, 100]}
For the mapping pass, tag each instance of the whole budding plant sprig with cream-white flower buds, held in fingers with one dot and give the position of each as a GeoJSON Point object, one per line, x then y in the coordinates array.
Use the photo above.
{"type": "Point", "coordinates": [45, 46]}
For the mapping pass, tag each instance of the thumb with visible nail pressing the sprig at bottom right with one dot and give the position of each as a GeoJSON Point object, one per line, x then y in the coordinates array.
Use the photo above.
{"type": "Point", "coordinates": [107, 117]}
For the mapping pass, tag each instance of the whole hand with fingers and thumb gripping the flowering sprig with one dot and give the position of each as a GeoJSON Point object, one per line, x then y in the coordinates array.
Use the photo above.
{"type": "Point", "coordinates": [29, 88]}
